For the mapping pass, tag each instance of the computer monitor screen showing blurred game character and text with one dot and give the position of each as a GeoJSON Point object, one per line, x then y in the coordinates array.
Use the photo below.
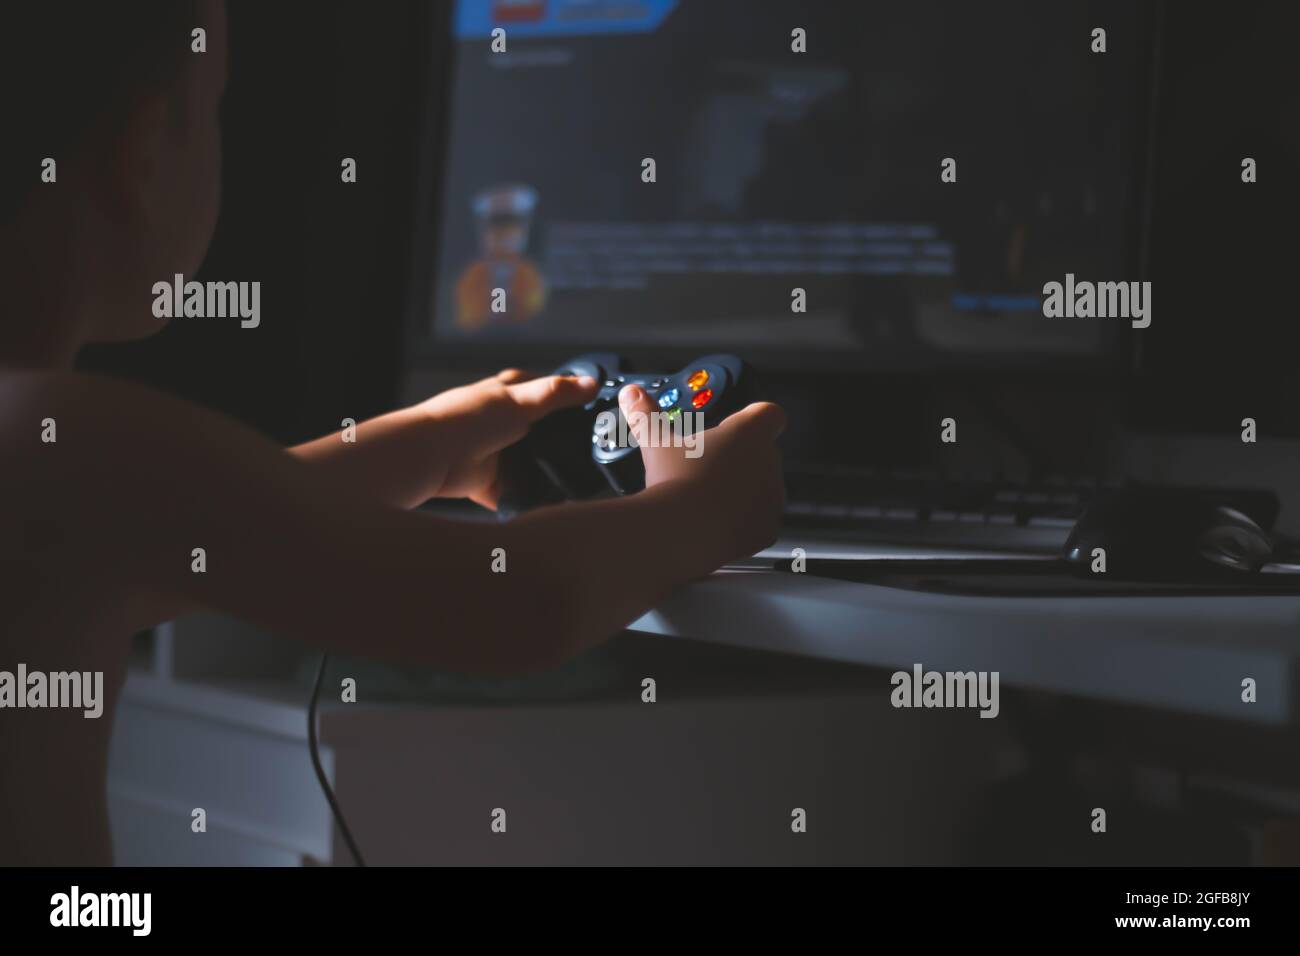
{"type": "Point", "coordinates": [675, 178]}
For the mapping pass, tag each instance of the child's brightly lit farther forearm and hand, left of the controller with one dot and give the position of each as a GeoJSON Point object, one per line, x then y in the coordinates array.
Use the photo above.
{"type": "Point", "coordinates": [447, 447]}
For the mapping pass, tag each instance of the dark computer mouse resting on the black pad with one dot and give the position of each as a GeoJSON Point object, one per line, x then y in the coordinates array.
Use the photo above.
{"type": "Point", "coordinates": [1167, 535]}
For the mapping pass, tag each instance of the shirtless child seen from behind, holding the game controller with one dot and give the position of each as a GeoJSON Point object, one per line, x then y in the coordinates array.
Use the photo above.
{"type": "Point", "coordinates": [319, 543]}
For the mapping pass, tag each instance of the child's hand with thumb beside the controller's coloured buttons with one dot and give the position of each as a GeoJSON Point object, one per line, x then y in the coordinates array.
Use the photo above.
{"type": "Point", "coordinates": [735, 481]}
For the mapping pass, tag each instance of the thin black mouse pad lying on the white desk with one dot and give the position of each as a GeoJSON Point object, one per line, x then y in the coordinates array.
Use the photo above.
{"type": "Point", "coordinates": [1011, 578]}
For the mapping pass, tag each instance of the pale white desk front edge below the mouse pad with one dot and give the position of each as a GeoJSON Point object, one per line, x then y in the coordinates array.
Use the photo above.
{"type": "Point", "coordinates": [1181, 654]}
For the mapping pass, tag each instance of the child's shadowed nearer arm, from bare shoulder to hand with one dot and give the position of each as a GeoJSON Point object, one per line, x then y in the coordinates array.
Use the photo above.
{"type": "Point", "coordinates": [137, 482]}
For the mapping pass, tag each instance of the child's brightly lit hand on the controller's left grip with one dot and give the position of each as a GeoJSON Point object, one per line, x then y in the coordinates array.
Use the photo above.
{"type": "Point", "coordinates": [476, 422]}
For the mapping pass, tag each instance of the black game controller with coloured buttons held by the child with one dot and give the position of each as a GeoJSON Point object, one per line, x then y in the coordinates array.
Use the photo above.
{"type": "Point", "coordinates": [580, 453]}
